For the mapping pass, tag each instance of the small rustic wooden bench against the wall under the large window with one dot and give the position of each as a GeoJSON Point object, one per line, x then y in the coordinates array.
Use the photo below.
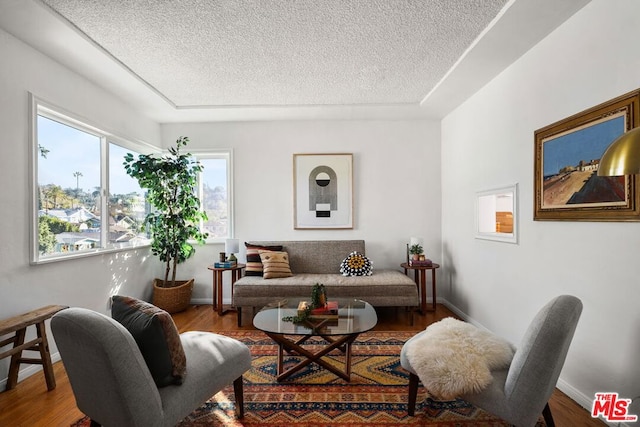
{"type": "Point", "coordinates": [18, 325]}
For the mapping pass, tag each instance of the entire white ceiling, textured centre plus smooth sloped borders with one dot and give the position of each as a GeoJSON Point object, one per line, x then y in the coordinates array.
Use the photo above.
{"type": "Point", "coordinates": [206, 60]}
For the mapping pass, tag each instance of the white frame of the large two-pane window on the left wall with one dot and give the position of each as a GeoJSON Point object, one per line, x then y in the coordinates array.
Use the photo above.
{"type": "Point", "coordinates": [39, 107]}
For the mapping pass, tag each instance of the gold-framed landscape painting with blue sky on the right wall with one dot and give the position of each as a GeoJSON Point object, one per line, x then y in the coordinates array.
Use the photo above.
{"type": "Point", "coordinates": [567, 155]}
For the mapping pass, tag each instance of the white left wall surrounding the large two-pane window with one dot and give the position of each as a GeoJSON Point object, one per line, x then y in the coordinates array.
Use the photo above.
{"type": "Point", "coordinates": [86, 282]}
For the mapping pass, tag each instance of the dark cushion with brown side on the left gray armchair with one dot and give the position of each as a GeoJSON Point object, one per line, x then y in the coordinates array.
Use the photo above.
{"type": "Point", "coordinates": [156, 335]}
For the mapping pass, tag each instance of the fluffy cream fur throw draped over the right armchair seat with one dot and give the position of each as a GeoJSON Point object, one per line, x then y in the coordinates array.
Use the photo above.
{"type": "Point", "coordinates": [453, 357]}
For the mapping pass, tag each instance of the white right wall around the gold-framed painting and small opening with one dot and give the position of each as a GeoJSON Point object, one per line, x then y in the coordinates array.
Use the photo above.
{"type": "Point", "coordinates": [489, 142]}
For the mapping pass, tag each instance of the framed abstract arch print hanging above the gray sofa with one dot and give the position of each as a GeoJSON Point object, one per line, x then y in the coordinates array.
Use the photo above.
{"type": "Point", "coordinates": [323, 191]}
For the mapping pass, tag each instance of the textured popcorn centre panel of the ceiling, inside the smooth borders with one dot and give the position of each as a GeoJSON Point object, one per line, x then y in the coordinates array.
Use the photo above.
{"type": "Point", "coordinates": [275, 52]}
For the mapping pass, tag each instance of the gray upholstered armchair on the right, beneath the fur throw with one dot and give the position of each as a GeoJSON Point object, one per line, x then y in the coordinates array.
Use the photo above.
{"type": "Point", "coordinates": [520, 393]}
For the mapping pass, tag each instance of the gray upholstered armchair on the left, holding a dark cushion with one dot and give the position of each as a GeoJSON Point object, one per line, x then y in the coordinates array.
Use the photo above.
{"type": "Point", "coordinates": [111, 381]}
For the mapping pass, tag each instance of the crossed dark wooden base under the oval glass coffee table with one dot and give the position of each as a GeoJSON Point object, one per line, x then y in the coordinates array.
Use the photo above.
{"type": "Point", "coordinates": [342, 342]}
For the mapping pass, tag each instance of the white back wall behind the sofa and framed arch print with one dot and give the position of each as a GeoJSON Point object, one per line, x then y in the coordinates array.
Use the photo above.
{"type": "Point", "coordinates": [396, 184]}
